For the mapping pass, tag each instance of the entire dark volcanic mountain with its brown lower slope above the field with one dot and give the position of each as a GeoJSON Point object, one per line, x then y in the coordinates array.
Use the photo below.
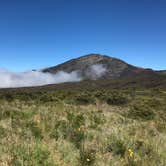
{"type": "Point", "coordinates": [95, 71]}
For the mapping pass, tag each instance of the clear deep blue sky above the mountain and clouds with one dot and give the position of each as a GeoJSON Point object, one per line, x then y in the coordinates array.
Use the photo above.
{"type": "Point", "coordinates": [40, 33]}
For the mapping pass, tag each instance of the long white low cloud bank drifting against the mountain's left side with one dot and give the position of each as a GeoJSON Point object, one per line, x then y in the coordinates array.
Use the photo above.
{"type": "Point", "coordinates": [10, 79]}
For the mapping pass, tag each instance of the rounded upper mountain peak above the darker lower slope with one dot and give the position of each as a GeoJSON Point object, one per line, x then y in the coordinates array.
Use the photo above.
{"type": "Point", "coordinates": [96, 66]}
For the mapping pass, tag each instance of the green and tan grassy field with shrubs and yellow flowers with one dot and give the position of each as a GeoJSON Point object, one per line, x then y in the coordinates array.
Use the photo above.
{"type": "Point", "coordinates": [81, 128]}
